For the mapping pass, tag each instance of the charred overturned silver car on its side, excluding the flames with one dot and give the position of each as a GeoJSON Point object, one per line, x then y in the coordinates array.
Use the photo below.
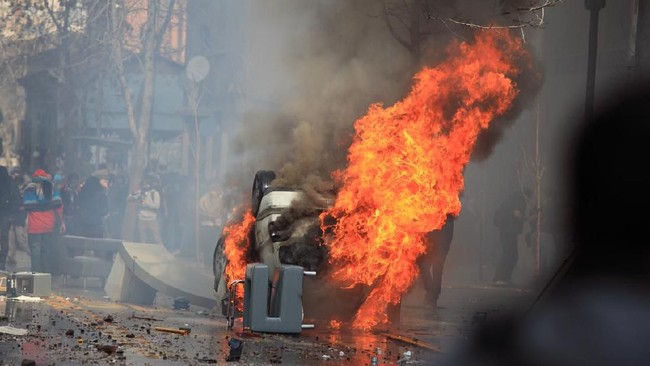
{"type": "Point", "coordinates": [287, 231]}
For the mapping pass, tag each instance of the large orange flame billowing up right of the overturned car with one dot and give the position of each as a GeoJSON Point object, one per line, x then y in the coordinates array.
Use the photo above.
{"type": "Point", "coordinates": [406, 163]}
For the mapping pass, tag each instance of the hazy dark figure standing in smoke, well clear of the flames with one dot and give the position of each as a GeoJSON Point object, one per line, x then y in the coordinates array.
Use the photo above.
{"type": "Point", "coordinates": [509, 219]}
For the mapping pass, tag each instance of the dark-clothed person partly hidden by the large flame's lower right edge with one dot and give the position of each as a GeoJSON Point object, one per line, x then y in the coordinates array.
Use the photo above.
{"type": "Point", "coordinates": [432, 262]}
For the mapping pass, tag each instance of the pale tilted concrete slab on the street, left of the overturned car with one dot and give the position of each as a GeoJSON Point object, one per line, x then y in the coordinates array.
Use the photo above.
{"type": "Point", "coordinates": [141, 269]}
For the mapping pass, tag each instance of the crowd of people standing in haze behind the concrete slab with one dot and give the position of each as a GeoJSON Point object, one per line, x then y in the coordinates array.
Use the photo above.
{"type": "Point", "coordinates": [35, 208]}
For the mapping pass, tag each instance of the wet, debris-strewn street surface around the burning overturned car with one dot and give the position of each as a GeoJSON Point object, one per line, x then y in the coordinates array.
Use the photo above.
{"type": "Point", "coordinates": [79, 326]}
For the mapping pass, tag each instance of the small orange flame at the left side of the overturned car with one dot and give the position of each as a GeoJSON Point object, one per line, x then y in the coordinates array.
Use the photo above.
{"type": "Point", "coordinates": [235, 247]}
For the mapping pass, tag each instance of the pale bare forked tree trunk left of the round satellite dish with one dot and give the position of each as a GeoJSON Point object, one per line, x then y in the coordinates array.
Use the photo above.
{"type": "Point", "coordinates": [139, 112]}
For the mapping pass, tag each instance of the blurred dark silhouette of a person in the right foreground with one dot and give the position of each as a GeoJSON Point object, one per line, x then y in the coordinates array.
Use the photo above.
{"type": "Point", "coordinates": [597, 312]}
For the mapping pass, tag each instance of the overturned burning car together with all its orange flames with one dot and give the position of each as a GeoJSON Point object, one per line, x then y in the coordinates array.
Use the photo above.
{"type": "Point", "coordinates": [418, 149]}
